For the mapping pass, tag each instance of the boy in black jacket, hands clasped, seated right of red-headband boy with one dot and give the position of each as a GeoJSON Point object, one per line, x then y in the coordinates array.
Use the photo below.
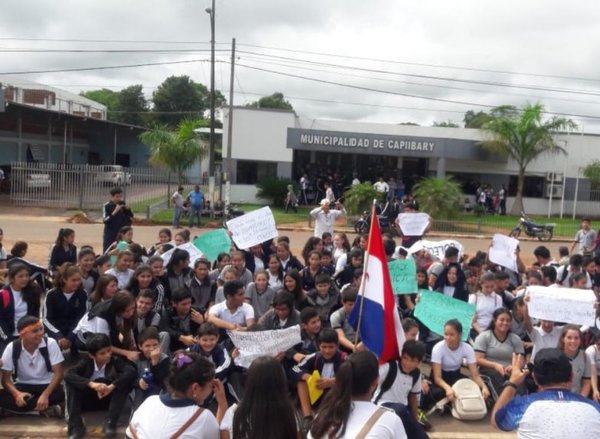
{"type": "Point", "coordinates": [101, 381]}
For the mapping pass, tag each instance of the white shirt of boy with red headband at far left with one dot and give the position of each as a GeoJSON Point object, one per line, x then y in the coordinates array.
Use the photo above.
{"type": "Point", "coordinates": [32, 367]}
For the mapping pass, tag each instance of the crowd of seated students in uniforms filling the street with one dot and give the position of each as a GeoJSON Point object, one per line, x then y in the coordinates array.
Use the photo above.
{"type": "Point", "coordinates": [153, 337]}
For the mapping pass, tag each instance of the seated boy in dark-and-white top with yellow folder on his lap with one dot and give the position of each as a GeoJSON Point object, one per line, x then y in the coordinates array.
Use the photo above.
{"type": "Point", "coordinates": [326, 361]}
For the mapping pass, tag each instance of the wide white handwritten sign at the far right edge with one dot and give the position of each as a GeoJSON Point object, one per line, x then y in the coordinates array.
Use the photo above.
{"type": "Point", "coordinates": [567, 305]}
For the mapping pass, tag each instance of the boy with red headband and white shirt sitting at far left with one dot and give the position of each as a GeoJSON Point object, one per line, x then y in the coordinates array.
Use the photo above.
{"type": "Point", "coordinates": [32, 371]}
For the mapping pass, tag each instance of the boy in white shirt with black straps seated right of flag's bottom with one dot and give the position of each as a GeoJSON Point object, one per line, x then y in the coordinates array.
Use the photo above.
{"type": "Point", "coordinates": [400, 387]}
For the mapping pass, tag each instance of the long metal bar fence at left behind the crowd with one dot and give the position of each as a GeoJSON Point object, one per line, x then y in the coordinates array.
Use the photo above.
{"type": "Point", "coordinates": [86, 187]}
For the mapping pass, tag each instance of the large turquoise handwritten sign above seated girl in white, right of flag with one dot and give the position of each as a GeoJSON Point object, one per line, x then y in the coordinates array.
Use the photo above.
{"type": "Point", "coordinates": [435, 309]}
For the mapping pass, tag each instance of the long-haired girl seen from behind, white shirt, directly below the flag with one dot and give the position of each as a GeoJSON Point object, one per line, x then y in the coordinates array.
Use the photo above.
{"type": "Point", "coordinates": [347, 410]}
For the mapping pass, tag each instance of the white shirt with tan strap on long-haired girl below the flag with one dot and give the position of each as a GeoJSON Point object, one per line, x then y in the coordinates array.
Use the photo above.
{"type": "Point", "coordinates": [388, 426]}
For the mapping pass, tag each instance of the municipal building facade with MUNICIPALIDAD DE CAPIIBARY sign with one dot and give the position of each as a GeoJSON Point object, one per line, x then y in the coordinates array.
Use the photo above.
{"type": "Point", "coordinates": [268, 142]}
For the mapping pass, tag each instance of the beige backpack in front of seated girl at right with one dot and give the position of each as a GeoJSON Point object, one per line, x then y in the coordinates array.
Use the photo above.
{"type": "Point", "coordinates": [468, 404]}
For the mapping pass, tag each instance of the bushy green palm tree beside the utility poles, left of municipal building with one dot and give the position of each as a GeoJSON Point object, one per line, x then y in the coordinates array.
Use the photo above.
{"type": "Point", "coordinates": [175, 150]}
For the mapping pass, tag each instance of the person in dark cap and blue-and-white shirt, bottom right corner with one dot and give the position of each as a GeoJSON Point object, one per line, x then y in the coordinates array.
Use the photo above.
{"type": "Point", "coordinates": [554, 411]}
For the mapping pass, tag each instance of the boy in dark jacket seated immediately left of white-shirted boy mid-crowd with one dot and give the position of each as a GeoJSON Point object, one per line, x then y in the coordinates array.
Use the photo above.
{"type": "Point", "coordinates": [181, 321]}
